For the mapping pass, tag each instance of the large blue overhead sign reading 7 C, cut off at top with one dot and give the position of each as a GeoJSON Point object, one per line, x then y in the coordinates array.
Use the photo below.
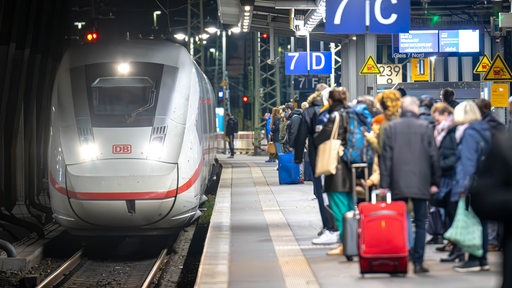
{"type": "Point", "coordinates": [382, 16]}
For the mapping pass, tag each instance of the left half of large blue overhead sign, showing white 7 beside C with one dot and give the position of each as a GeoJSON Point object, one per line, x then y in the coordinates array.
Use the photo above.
{"type": "Point", "coordinates": [345, 17]}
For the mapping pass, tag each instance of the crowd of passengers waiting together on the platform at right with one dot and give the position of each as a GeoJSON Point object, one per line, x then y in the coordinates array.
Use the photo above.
{"type": "Point", "coordinates": [426, 152]}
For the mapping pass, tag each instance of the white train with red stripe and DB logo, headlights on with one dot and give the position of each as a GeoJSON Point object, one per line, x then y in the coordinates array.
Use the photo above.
{"type": "Point", "coordinates": [132, 138]}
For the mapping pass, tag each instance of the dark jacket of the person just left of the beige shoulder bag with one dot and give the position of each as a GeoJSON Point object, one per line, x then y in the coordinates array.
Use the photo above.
{"type": "Point", "coordinates": [307, 132]}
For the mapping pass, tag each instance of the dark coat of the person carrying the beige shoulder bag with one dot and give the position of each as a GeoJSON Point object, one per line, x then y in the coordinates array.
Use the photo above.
{"type": "Point", "coordinates": [339, 182]}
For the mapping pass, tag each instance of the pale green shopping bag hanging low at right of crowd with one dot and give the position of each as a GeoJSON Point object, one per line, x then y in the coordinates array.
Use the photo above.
{"type": "Point", "coordinates": [466, 229]}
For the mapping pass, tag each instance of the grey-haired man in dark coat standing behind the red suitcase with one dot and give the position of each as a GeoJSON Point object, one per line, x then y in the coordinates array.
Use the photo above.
{"type": "Point", "coordinates": [409, 168]}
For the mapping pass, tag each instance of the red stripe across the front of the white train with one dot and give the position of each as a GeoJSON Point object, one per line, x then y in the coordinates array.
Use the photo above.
{"type": "Point", "coordinates": [146, 195]}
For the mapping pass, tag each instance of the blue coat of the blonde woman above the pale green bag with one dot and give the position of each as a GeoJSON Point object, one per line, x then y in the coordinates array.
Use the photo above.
{"type": "Point", "coordinates": [473, 146]}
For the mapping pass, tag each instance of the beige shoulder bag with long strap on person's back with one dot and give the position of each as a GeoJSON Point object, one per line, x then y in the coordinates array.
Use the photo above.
{"type": "Point", "coordinates": [329, 152]}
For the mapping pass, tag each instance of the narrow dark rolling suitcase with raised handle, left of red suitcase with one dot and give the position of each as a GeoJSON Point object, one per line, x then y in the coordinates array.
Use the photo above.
{"type": "Point", "coordinates": [351, 218]}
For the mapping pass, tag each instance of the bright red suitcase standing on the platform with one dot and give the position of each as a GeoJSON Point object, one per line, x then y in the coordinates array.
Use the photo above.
{"type": "Point", "coordinates": [383, 244]}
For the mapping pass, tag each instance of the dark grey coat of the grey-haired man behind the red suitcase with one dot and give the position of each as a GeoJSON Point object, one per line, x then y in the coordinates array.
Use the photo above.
{"type": "Point", "coordinates": [409, 160]}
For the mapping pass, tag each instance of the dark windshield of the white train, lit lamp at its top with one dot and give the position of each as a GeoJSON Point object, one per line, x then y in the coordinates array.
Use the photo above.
{"type": "Point", "coordinates": [119, 94]}
